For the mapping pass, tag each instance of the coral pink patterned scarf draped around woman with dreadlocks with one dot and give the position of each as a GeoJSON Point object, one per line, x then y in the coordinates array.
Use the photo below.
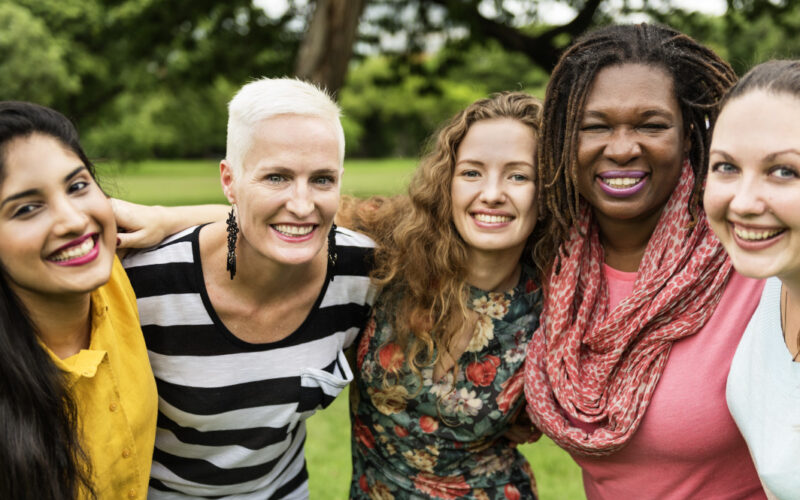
{"type": "Point", "coordinates": [602, 368]}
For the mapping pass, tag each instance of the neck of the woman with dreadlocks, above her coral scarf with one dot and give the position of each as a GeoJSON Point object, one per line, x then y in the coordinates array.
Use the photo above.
{"type": "Point", "coordinates": [625, 241]}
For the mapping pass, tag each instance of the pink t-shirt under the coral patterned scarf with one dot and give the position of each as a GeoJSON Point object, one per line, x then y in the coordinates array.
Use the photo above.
{"type": "Point", "coordinates": [687, 445]}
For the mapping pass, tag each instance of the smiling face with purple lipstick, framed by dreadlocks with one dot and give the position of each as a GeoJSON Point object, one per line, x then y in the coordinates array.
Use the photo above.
{"type": "Point", "coordinates": [631, 144]}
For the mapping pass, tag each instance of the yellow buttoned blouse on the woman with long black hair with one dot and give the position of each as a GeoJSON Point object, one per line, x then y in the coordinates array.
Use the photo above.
{"type": "Point", "coordinates": [115, 392]}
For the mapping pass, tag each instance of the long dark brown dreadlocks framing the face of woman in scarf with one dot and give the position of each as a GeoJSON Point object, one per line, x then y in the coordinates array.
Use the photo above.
{"type": "Point", "coordinates": [699, 79]}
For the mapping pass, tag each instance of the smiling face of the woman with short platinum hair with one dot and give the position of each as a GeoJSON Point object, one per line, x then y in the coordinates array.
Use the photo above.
{"type": "Point", "coordinates": [288, 191]}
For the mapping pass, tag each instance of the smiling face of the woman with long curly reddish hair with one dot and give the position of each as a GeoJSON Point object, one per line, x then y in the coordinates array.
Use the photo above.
{"type": "Point", "coordinates": [493, 191]}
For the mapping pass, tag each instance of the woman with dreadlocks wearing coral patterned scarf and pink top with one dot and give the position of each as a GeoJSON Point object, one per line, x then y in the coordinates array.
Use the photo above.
{"type": "Point", "coordinates": [643, 311]}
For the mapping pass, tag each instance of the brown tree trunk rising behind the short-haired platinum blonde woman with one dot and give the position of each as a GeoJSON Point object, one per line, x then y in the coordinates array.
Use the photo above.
{"type": "Point", "coordinates": [328, 45]}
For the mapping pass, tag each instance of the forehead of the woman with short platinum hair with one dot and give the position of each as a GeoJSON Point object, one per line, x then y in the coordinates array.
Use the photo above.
{"type": "Point", "coordinates": [290, 140]}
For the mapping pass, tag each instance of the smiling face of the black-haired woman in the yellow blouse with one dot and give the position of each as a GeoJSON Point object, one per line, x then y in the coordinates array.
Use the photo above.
{"type": "Point", "coordinates": [57, 231]}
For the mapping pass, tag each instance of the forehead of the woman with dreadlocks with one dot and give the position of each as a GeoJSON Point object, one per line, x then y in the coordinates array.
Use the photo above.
{"type": "Point", "coordinates": [632, 86]}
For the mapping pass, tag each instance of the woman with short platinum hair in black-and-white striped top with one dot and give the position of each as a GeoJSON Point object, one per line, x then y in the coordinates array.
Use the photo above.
{"type": "Point", "coordinates": [246, 320]}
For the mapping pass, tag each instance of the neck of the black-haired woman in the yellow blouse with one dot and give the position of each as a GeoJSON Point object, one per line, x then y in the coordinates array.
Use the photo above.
{"type": "Point", "coordinates": [63, 323]}
